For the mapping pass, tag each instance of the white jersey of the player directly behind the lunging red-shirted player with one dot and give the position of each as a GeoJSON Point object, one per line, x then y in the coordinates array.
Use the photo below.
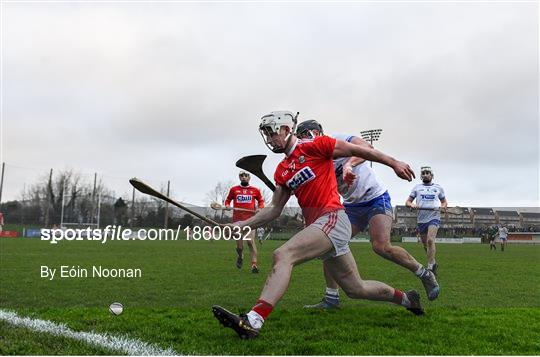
{"type": "Point", "coordinates": [366, 186]}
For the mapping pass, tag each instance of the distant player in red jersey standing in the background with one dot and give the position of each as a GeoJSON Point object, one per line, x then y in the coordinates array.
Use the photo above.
{"type": "Point", "coordinates": [244, 196]}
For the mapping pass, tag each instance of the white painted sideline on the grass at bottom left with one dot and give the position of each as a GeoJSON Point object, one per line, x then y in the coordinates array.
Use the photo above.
{"type": "Point", "coordinates": [122, 344]}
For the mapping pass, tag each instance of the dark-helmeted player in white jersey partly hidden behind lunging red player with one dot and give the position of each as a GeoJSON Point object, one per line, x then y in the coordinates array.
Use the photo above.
{"type": "Point", "coordinates": [367, 203]}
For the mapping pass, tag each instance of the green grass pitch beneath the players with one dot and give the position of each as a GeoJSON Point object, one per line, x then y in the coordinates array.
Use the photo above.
{"type": "Point", "coordinates": [488, 305]}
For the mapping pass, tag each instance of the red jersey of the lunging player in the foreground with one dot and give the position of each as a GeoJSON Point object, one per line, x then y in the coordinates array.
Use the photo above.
{"type": "Point", "coordinates": [309, 173]}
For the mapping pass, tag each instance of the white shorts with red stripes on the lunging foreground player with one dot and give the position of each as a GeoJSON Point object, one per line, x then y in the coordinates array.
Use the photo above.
{"type": "Point", "coordinates": [337, 227]}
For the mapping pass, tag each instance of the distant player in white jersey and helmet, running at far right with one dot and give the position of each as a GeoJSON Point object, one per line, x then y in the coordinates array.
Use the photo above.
{"type": "Point", "coordinates": [428, 195]}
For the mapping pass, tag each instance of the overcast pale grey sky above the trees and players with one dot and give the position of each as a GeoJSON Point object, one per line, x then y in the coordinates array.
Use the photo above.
{"type": "Point", "coordinates": [176, 90]}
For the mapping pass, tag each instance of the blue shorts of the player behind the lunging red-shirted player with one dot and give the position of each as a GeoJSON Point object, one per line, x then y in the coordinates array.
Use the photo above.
{"type": "Point", "coordinates": [360, 213]}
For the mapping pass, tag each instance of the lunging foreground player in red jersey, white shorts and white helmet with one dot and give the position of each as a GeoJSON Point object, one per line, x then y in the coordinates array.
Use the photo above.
{"type": "Point", "coordinates": [308, 171]}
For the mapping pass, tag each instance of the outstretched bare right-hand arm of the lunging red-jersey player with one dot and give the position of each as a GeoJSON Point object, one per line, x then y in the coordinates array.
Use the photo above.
{"type": "Point", "coordinates": [345, 149]}
